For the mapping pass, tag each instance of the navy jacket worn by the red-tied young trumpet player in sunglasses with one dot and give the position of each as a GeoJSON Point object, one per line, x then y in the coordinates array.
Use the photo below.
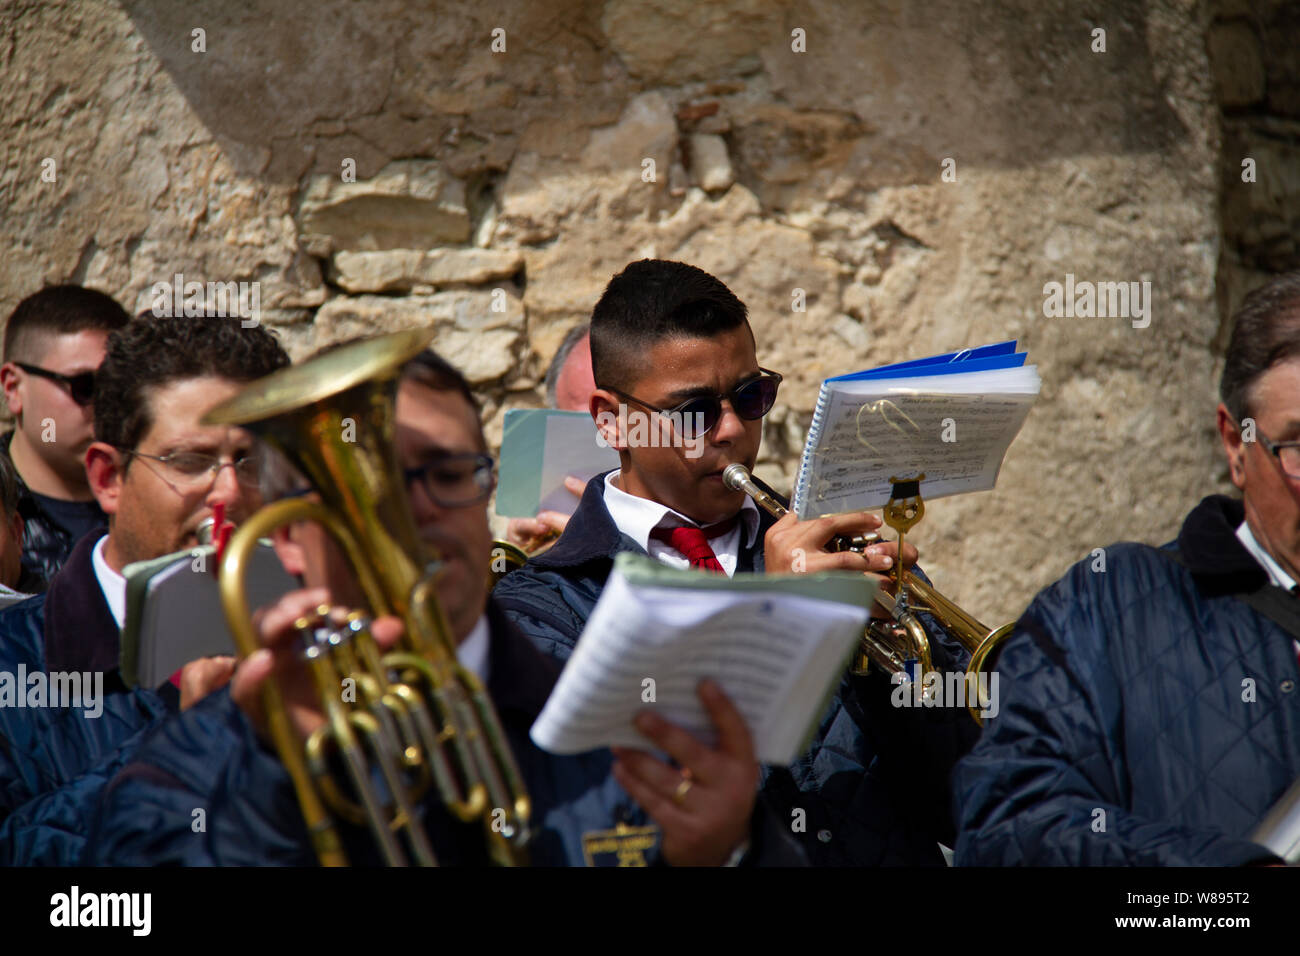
{"type": "Point", "coordinates": [873, 785]}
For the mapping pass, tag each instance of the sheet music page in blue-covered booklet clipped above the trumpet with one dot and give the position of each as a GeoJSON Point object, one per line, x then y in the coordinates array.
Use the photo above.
{"type": "Point", "coordinates": [955, 430]}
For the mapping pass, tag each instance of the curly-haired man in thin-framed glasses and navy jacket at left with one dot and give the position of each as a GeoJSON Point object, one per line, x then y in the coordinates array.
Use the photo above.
{"type": "Point", "coordinates": [158, 474]}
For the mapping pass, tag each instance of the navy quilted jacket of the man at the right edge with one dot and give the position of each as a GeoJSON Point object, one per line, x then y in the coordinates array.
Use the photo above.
{"type": "Point", "coordinates": [1150, 712]}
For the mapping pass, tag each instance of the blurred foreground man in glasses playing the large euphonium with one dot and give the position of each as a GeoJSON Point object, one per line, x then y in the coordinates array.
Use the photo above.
{"type": "Point", "coordinates": [216, 759]}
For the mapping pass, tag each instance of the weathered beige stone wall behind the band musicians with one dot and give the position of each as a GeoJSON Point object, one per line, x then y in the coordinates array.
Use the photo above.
{"type": "Point", "coordinates": [496, 193]}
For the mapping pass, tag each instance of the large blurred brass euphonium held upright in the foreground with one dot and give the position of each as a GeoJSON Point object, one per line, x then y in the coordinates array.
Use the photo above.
{"type": "Point", "coordinates": [415, 717]}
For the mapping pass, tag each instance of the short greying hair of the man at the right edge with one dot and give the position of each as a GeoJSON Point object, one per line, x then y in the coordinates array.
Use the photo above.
{"type": "Point", "coordinates": [1267, 332]}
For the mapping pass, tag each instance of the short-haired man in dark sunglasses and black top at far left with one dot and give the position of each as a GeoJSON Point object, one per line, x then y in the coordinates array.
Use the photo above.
{"type": "Point", "coordinates": [54, 343]}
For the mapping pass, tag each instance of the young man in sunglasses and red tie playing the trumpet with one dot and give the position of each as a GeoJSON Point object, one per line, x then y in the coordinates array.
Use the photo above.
{"type": "Point", "coordinates": [670, 340]}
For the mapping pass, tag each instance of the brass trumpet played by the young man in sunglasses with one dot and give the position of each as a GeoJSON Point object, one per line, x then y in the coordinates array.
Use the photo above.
{"type": "Point", "coordinates": [892, 643]}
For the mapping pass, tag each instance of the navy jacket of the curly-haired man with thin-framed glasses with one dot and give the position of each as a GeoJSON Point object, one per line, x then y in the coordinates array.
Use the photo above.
{"type": "Point", "coordinates": [54, 762]}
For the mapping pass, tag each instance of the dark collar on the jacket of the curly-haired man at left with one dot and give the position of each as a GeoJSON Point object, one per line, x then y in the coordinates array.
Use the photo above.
{"type": "Point", "coordinates": [81, 634]}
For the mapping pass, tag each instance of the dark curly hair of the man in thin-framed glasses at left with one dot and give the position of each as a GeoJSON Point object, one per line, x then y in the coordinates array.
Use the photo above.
{"type": "Point", "coordinates": [155, 353]}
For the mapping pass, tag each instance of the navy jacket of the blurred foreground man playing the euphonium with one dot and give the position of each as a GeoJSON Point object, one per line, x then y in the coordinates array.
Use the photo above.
{"type": "Point", "coordinates": [209, 759]}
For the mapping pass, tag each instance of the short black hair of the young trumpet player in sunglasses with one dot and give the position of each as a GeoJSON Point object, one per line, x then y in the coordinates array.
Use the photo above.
{"type": "Point", "coordinates": [652, 301]}
